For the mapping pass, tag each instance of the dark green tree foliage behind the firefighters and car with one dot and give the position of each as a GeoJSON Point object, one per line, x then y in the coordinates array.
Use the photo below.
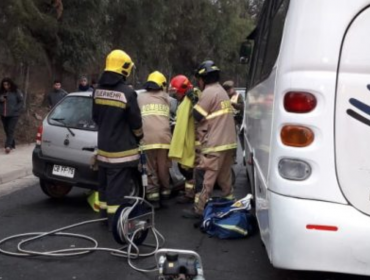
{"type": "Point", "coordinates": [169, 36]}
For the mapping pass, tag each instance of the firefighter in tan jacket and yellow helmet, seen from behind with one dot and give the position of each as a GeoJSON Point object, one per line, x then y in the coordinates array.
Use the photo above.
{"type": "Point", "coordinates": [155, 110]}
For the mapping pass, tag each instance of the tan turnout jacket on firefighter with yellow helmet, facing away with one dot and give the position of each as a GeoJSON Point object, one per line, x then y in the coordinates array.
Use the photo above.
{"type": "Point", "coordinates": [155, 111]}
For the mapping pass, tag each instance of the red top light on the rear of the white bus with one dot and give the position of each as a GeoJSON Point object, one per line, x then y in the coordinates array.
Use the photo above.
{"type": "Point", "coordinates": [299, 102]}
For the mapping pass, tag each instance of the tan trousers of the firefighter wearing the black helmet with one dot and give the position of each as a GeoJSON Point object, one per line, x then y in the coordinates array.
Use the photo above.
{"type": "Point", "coordinates": [216, 168]}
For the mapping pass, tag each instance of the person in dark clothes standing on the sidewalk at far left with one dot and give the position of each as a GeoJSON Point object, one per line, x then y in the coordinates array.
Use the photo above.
{"type": "Point", "coordinates": [11, 104]}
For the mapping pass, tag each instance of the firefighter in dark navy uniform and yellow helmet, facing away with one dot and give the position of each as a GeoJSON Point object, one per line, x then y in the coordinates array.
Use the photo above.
{"type": "Point", "coordinates": [117, 114]}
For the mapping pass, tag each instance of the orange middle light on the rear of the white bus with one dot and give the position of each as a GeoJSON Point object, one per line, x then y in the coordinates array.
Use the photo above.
{"type": "Point", "coordinates": [296, 136]}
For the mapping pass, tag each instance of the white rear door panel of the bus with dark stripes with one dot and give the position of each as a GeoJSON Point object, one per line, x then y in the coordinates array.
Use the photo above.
{"type": "Point", "coordinates": [352, 122]}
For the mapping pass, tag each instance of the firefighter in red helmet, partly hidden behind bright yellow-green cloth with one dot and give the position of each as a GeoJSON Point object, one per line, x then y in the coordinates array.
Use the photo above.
{"type": "Point", "coordinates": [182, 149]}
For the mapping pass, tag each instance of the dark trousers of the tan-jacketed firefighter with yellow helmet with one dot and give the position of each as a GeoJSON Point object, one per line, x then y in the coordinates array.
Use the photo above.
{"type": "Point", "coordinates": [158, 174]}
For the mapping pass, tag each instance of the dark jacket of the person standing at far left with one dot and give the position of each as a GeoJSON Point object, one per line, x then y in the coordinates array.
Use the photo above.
{"type": "Point", "coordinates": [11, 104]}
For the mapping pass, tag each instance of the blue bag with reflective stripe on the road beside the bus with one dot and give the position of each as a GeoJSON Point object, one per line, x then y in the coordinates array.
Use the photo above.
{"type": "Point", "coordinates": [228, 219]}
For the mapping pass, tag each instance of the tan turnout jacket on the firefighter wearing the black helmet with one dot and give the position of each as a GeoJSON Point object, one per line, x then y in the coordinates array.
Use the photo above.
{"type": "Point", "coordinates": [216, 127]}
